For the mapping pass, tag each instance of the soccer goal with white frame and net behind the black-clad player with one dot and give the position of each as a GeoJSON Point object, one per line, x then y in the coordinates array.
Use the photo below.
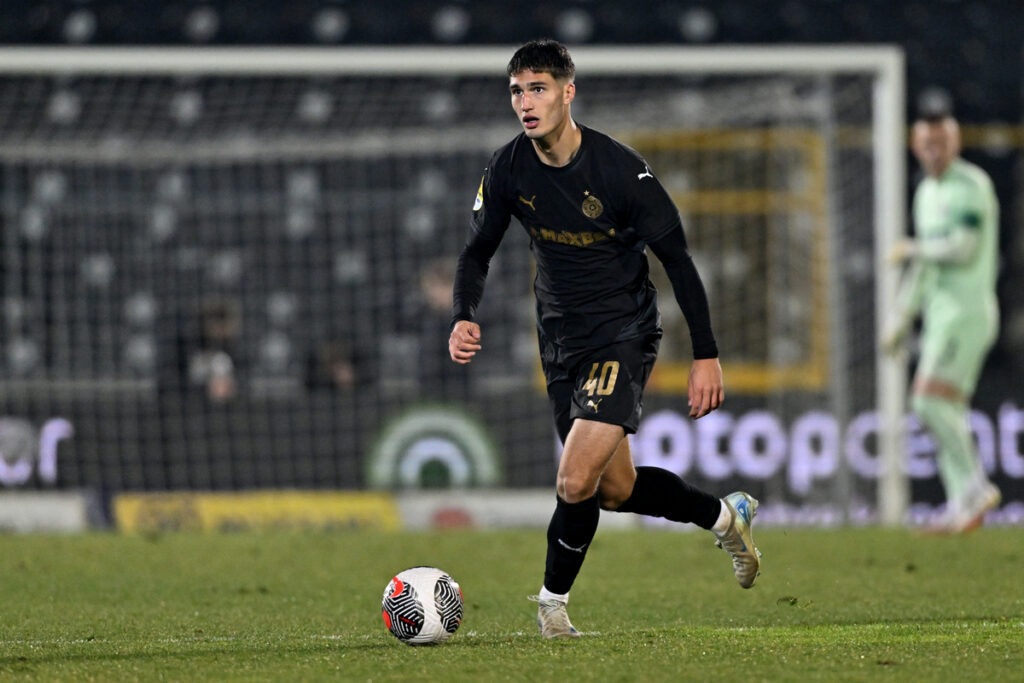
{"type": "Point", "coordinates": [232, 270]}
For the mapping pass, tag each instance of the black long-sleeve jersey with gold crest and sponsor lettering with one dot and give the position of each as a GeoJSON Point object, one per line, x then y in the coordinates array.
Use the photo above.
{"type": "Point", "coordinates": [589, 223]}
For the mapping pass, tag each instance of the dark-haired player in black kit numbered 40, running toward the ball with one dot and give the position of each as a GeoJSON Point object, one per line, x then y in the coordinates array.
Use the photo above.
{"type": "Point", "coordinates": [591, 206]}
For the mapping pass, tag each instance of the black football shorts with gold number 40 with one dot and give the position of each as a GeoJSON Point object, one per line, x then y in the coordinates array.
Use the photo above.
{"type": "Point", "coordinates": [605, 385]}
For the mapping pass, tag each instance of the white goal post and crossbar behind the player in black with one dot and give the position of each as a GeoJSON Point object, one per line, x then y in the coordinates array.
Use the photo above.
{"type": "Point", "coordinates": [884, 65]}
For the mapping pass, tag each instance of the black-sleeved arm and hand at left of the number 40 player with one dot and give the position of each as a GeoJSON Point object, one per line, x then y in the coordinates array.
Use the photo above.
{"type": "Point", "coordinates": [491, 220]}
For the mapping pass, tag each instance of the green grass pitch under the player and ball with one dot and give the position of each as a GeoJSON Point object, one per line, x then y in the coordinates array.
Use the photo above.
{"type": "Point", "coordinates": [845, 605]}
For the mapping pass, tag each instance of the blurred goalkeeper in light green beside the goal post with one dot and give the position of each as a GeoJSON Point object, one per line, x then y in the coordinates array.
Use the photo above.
{"type": "Point", "coordinates": [951, 282]}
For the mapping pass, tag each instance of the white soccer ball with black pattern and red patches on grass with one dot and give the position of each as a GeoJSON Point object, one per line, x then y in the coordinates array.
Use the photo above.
{"type": "Point", "coordinates": [422, 607]}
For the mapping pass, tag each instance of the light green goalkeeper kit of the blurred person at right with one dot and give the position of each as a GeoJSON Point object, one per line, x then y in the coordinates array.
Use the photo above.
{"type": "Point", "coordinates": [952, 284]}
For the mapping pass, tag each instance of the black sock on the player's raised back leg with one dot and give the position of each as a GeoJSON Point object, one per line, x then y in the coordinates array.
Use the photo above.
{"type": "Point", "coordinates": [659, 493]}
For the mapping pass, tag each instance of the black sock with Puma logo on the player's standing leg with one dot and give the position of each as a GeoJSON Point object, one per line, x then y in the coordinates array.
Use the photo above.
{"type": "Point", "coordinates": [572, 529]}
